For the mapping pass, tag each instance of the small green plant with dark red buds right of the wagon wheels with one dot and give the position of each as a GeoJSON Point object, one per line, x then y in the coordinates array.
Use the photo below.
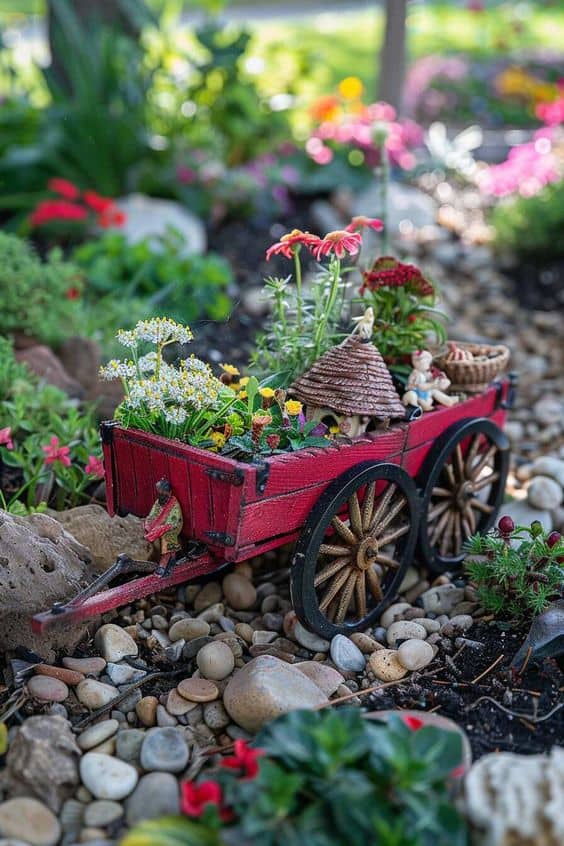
{"type": "Point", "coordinates": [518, 570]}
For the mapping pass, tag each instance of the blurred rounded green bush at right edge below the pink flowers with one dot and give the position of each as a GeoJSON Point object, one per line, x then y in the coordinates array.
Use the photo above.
{"type": "Point", "coordinates": [532, 227]}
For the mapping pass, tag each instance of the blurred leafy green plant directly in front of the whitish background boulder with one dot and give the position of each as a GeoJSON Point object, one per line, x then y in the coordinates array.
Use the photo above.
{"type": "Point", "coordinates": [158, 271]}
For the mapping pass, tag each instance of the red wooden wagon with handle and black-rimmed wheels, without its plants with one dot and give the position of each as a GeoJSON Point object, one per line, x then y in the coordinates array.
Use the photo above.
{"type": "Point", "coordinates": [358, 511]}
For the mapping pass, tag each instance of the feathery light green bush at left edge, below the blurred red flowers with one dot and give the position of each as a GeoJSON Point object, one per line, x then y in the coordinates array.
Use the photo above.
{"type": "Point", "coordinates": [34, 294]}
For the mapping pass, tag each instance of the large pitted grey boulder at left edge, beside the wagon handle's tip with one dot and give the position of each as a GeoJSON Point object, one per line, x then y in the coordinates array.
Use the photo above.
{"type": "Point", "coordinates": [40, 563]}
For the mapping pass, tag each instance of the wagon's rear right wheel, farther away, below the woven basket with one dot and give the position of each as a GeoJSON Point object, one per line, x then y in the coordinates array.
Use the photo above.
{"type": "Point", "coordinates": [463, 484]}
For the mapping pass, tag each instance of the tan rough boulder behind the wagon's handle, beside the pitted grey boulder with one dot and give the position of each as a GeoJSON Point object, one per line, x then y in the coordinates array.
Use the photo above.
{"type": "Point", "coordinates": [106, 537]}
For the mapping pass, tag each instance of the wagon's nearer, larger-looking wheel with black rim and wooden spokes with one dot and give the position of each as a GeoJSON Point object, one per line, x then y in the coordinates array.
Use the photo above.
{"type": "Point", "coordinates": [354, 549]}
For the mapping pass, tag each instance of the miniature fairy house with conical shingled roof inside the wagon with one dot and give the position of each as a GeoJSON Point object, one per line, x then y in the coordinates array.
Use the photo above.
{"type": "Point", "coordinates": [349, 387]}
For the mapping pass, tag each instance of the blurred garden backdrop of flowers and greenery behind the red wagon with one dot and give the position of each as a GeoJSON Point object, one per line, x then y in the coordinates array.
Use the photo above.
{"type": "Point", "coordinates": [151, 151]}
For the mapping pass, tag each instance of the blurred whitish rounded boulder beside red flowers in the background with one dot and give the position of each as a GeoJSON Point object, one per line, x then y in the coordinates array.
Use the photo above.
{"type": "Point", "coordinates": [149, 217]}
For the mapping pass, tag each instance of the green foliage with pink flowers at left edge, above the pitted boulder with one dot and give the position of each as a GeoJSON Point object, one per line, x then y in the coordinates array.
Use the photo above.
{"type": "Point", "coordinates": [31, 413]}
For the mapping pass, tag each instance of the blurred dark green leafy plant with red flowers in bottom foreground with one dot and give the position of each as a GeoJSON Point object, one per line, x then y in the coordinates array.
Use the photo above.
{"type": "Point", "coordinates": [324, 778]}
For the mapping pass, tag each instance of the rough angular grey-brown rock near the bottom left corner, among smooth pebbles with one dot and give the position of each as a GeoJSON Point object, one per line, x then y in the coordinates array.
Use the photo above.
{"type": "Point", "coordinates": [43, 761]}
